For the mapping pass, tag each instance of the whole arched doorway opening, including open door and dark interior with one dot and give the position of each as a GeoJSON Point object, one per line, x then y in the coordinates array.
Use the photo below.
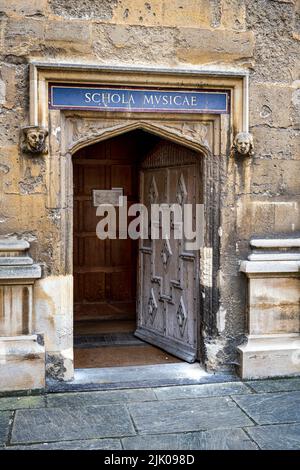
{"type": "Point", "coordinates": [124, 286]}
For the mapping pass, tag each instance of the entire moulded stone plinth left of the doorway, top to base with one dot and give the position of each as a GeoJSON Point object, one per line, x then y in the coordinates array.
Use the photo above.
{"type": "Point", "coordinates": [22, 354]}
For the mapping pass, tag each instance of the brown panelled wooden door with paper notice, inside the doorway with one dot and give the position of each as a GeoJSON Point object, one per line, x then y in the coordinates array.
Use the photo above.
{"type": "Point", "coordinates": [104, 270]}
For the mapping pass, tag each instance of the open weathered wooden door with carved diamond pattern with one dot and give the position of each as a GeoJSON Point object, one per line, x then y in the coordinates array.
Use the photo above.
{"type": "Point", "coordinates": [168, 304]}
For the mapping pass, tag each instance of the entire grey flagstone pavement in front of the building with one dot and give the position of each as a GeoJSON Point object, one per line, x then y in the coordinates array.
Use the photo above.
{"type": "Point", "coordinates": [261, 414]}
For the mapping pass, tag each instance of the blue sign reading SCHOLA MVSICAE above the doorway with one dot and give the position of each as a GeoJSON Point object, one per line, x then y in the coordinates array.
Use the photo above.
{"type": "Point", "coordinates": [138, 100]}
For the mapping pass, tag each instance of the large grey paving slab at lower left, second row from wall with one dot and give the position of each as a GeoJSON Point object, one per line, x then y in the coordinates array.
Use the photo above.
{"type": "Point", "coordinates": [55, 424]}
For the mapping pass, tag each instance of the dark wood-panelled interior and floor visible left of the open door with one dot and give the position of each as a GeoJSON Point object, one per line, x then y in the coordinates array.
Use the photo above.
{"type": "Point", "coordinates": [105, 271]}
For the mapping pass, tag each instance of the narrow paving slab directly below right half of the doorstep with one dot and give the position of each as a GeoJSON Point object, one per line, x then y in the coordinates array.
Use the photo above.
{"type": "Point", "coordinates": [205, 390]}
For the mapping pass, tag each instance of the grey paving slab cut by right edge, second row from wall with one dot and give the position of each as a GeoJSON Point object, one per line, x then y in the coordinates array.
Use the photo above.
{"type": "Point", "coordinates": [271, 408]}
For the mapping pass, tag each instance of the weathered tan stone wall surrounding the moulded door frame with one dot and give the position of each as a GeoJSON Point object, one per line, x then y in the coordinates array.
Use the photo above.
{"type": "Point", "coordinates": [259, 35]}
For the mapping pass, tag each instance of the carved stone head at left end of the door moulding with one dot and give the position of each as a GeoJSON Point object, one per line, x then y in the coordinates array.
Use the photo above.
{"type": "Point", "coordinates": [33, 140]}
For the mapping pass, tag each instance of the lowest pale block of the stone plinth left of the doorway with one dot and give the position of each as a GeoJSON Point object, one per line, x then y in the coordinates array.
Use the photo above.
{"type": "Point", "coordinates": [22, 363]}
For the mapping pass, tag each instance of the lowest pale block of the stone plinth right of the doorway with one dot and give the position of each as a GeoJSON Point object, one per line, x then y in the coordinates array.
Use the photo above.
{"type": "Point", "coordinates": [266, 356]}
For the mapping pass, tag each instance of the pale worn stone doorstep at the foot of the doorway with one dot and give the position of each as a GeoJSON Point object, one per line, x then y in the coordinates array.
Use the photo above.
{"type": "Point", "coordinates": [159, 375]}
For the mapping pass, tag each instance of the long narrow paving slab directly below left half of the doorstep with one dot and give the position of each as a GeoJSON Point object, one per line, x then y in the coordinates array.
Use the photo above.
{"type": "Point", "coordinates": [99, 398]}
